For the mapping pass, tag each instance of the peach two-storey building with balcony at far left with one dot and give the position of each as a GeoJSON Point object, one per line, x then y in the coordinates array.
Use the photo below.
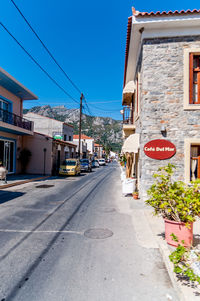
{"type": "Point", "coordinates": [13, 127]}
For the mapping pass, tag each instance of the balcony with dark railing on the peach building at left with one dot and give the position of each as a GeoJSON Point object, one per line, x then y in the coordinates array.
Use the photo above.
{"type": "Point", "coordinates": [13, 120]}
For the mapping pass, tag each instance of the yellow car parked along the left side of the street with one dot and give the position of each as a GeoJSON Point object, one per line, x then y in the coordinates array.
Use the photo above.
{"type": "Point", "coordinates": [70, 167]}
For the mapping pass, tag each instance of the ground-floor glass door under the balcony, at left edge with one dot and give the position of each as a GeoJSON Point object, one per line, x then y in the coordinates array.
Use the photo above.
{"type": "Point", "coordinates": [7, 154]}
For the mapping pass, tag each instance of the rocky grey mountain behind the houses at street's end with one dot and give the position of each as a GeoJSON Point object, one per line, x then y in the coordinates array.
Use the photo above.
{"type": "Point", "coordinates": [104, 130]}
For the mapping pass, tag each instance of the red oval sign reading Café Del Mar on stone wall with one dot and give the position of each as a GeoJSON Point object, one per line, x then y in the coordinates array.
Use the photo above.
{"type": "Point", "coordinates": [160, 149]}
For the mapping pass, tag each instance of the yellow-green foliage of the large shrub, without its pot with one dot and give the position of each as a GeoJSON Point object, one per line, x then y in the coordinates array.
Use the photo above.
{"type": "Point", "coordinates": [173, 200]}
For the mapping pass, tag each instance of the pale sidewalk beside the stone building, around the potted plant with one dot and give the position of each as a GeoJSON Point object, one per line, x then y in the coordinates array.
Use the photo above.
{"type": "Point", "coordinates": [150, 232]}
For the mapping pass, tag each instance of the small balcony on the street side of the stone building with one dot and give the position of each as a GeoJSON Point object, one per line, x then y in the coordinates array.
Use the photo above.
{"type": "Point", "coordinates": [128, 122]}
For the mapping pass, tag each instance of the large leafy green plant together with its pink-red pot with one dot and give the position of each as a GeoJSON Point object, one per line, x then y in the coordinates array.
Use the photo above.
{"type": "Point", "coordinates": [177, 203]}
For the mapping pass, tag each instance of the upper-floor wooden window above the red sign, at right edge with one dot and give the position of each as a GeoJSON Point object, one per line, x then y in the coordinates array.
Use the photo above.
{"type": "Point", "coordinates": [194, 78]}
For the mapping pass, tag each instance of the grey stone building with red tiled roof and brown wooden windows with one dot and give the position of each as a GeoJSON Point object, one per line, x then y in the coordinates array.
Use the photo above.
{"type": "Point", "coordinates": [162, 90]}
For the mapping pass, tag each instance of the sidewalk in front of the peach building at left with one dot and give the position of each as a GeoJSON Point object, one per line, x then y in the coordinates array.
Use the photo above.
{"type": "Point", "coordinates": [13, 180]}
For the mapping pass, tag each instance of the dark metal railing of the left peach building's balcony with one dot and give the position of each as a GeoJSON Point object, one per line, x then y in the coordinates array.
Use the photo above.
{"type": "Point", "coordinates": [16, 120]}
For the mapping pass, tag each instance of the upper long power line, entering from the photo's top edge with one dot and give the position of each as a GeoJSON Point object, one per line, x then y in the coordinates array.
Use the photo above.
{"type": "Point", "coordinates": [48, 51]}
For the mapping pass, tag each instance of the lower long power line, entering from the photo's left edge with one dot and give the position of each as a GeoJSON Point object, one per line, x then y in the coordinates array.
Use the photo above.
{"type": "Point", "coordinates": [34, 60]}
